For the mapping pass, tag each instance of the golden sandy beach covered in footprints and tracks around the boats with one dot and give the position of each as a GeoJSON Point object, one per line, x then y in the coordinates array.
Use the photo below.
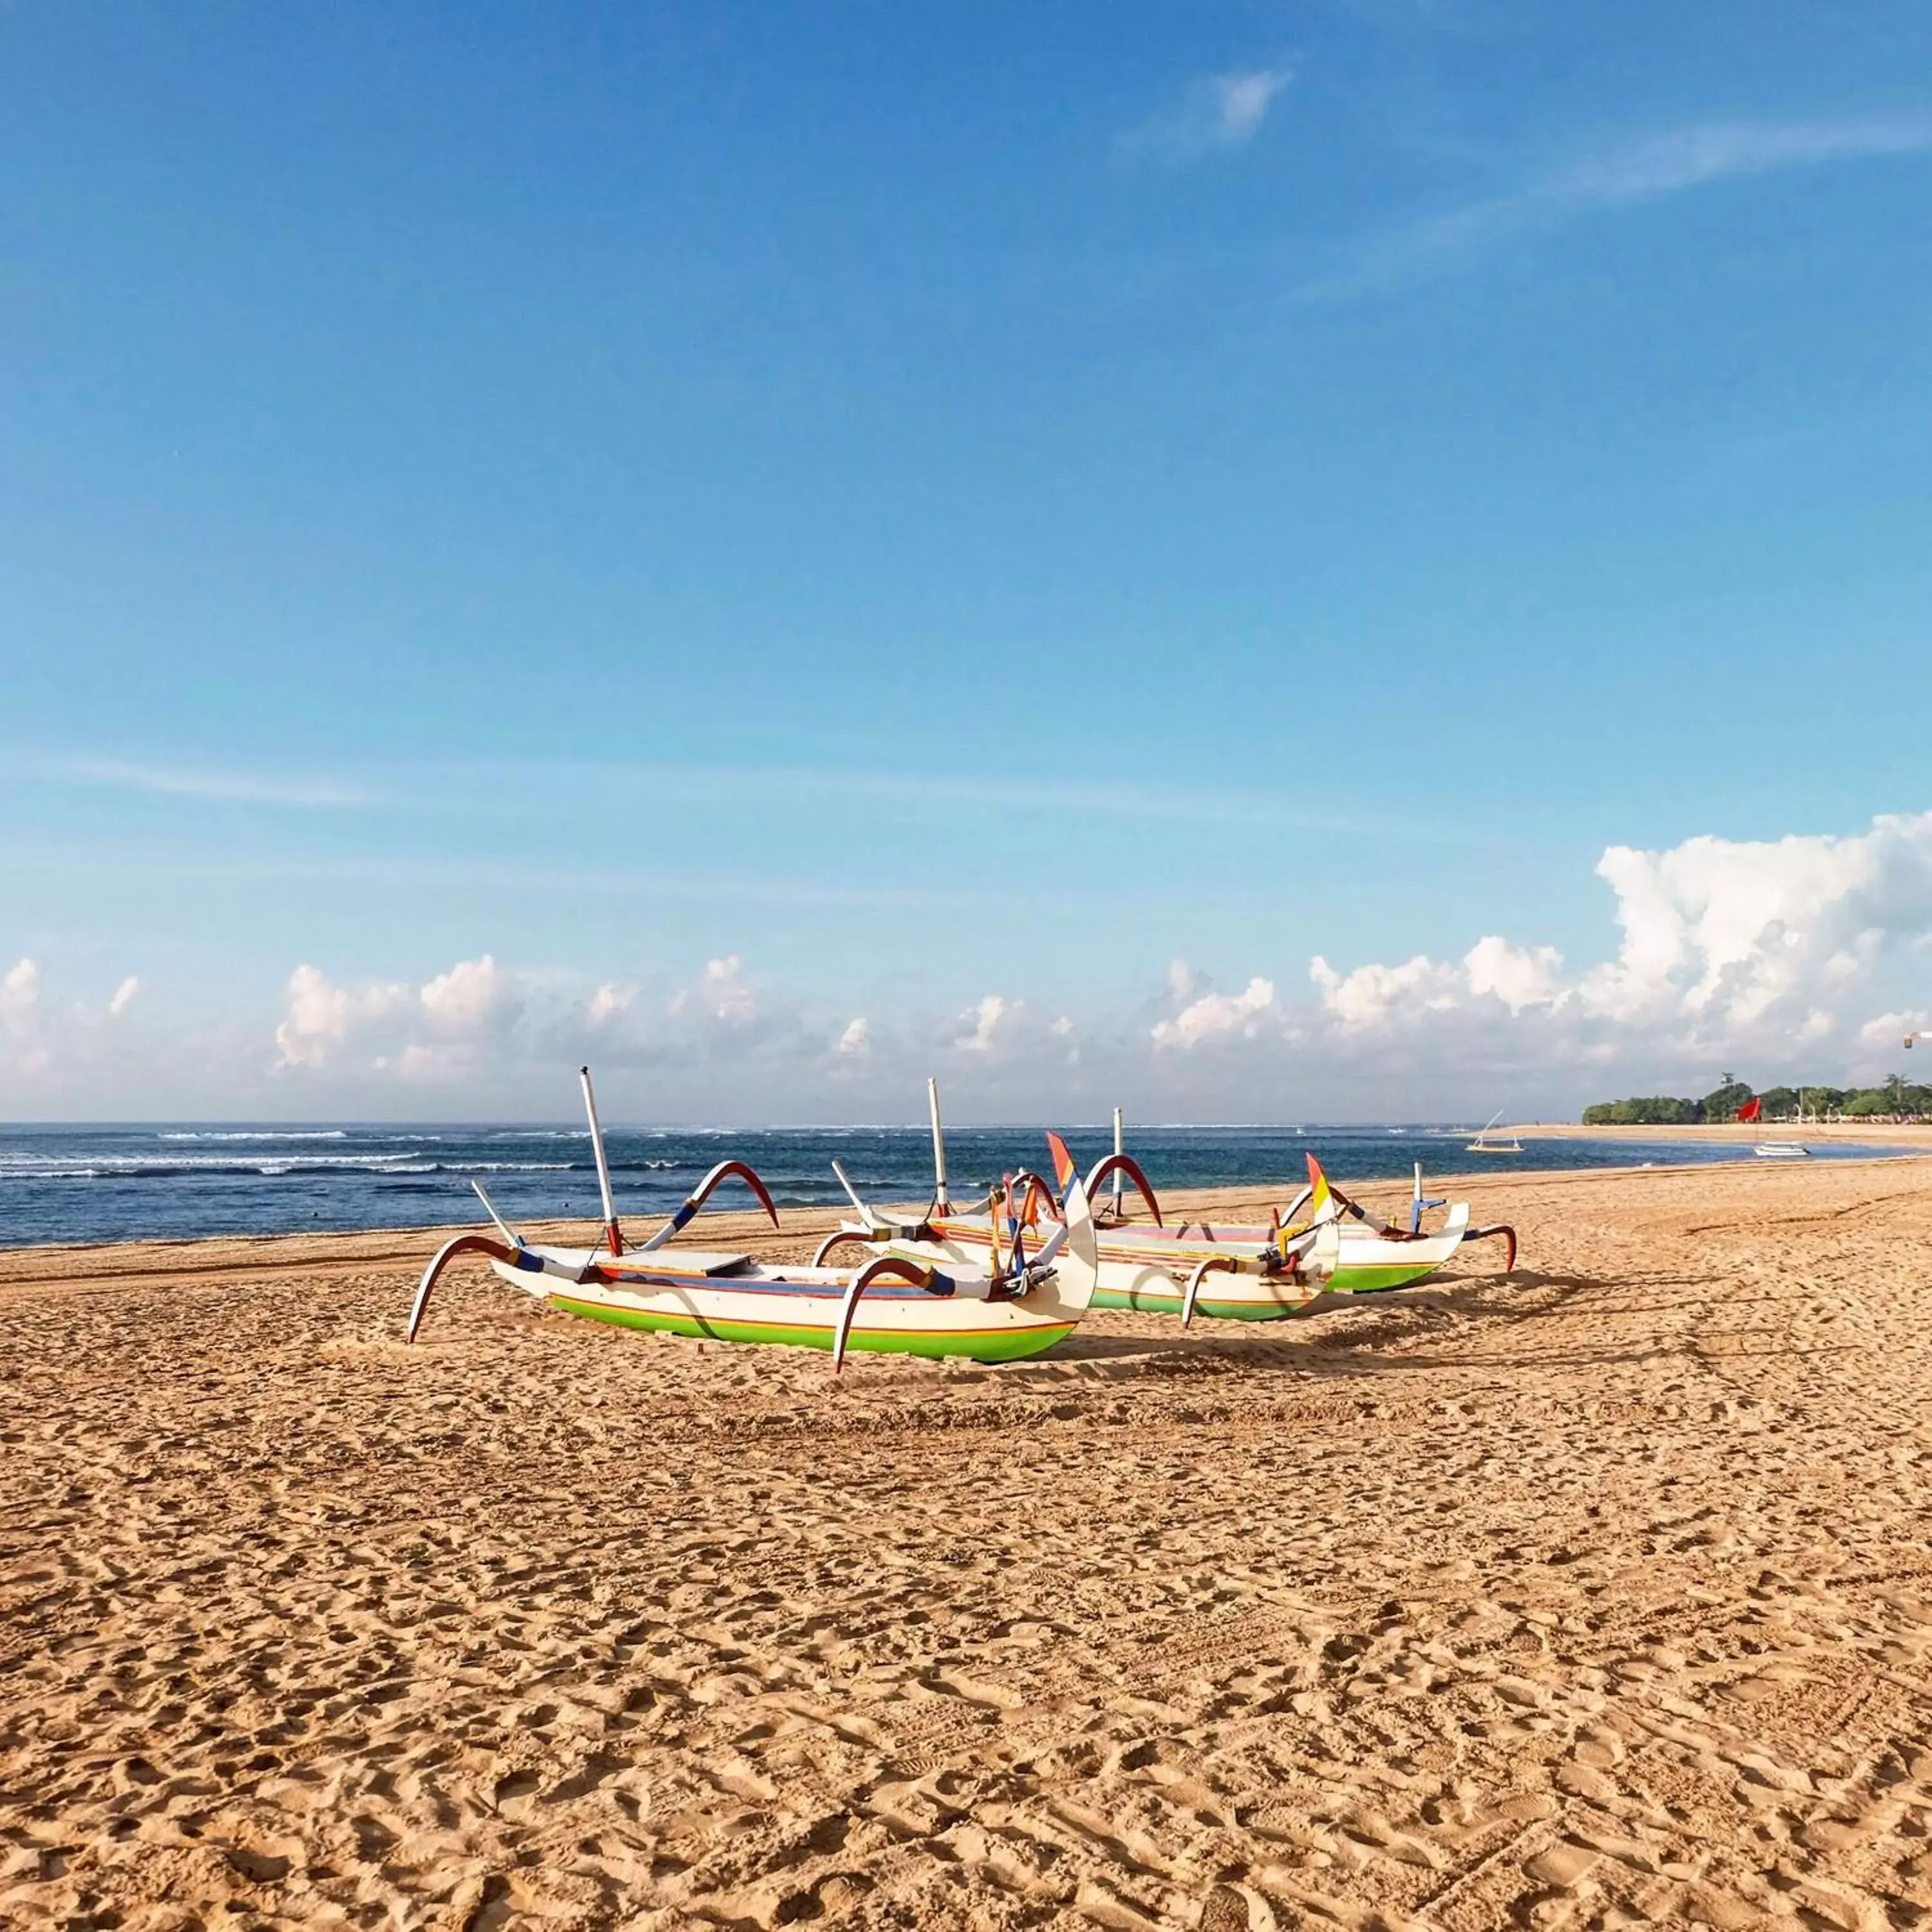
{"type": "Point", "coordinates": [1593, 1597]}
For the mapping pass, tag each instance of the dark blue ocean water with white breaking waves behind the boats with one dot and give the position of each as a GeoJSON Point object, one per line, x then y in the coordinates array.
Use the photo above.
{"type": "Point", "coordinates": [125, 1183]}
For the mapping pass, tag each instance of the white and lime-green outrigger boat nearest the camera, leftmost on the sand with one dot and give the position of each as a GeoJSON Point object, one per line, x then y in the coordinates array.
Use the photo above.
{"type": "Point", "coordinates": [892, 1305]}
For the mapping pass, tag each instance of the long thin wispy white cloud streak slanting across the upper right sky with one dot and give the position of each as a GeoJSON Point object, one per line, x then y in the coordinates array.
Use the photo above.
{"type": "Point", "coordinates": [1622, 177]}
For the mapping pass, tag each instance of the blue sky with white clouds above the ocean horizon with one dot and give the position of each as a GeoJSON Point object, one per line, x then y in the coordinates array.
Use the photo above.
{"type": "Point", "coordinates": [955, 505]}
